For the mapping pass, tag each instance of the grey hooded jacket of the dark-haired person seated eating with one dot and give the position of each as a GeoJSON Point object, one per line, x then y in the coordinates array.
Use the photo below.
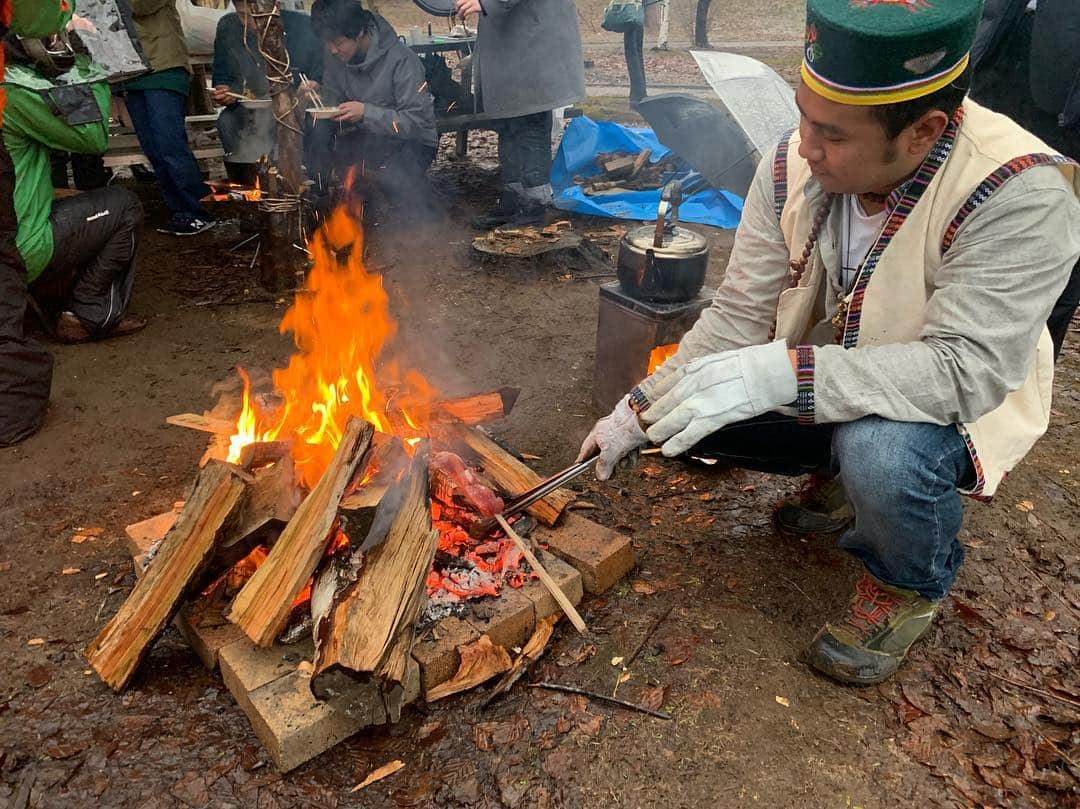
{"type": "Point", "coordinates": [389, 80]}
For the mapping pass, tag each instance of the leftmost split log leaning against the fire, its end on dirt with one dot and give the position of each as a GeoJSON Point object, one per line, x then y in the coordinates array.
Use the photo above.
{"type": "Point", "coordinates": [187, 549]}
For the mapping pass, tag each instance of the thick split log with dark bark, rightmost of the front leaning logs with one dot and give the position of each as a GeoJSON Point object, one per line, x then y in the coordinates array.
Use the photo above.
{"type": "Point", "coordinates": [367, 604]}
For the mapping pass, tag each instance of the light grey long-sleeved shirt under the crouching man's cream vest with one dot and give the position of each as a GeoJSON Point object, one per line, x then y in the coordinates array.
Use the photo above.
{"type": "Point", "coordinates": [1008, 266]}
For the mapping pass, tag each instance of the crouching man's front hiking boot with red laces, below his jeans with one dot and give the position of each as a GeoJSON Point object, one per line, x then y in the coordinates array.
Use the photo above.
{"type": "Point", "coordinates": [870, 642]}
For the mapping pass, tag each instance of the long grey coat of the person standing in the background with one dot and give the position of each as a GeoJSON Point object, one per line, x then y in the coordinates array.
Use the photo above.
{"type": "Point", "coordinates": [530, 55]}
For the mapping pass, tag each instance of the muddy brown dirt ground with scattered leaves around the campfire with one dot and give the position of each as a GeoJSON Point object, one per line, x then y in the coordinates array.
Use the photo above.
{"type": "Point", "coordinates": [985, 713]}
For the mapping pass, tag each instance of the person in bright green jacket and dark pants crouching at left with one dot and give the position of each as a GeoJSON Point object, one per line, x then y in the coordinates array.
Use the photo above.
{"type": "Point", "coordinates": [79, 250]}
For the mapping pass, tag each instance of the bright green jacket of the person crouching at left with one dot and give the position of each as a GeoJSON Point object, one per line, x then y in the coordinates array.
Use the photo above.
{"type": "Point", "coordinates": [31, 130]}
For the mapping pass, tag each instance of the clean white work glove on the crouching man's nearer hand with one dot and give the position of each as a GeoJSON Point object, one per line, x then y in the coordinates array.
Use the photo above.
{"type": "Point", "coordinates": [718, 390]}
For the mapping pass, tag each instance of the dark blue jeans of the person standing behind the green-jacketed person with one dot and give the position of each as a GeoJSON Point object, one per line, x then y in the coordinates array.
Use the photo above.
{"type": "Point", "coordinates": [158, 117]}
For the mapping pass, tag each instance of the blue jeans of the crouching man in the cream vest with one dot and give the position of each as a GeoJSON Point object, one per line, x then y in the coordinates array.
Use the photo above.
{"type": "Point", "coordinates": [902, 479]}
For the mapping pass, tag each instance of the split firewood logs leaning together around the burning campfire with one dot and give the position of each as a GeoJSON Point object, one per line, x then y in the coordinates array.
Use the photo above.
{"type": "Point", "coordinates": [354, 552]}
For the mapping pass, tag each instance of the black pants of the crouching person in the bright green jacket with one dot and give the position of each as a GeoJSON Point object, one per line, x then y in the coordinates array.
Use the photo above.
{"type": "Point", "coordinates": [96, 239]}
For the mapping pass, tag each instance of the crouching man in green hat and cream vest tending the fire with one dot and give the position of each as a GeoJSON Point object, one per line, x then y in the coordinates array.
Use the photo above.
{"type": "Point", "coordinates": [883, 318]}
